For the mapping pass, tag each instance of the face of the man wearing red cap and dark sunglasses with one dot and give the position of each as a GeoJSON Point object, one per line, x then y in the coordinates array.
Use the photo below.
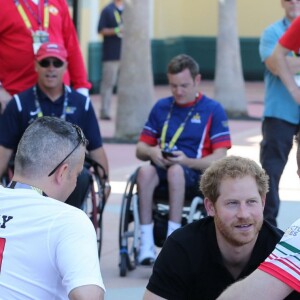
{"type": "Point", "coordinates": [50, 77]}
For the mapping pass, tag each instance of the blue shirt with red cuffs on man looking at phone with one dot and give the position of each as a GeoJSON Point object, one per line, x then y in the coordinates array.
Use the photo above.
{"type": "Point", "coordinates": [206, 129]}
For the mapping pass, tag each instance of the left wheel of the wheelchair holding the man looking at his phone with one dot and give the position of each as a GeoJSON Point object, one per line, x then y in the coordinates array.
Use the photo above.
{"type": "Point", "coordinates": [128, 236]}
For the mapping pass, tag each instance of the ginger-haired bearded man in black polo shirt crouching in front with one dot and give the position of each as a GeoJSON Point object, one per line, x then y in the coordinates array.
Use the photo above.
{"type": "Point", "coordinates": [200, 260]}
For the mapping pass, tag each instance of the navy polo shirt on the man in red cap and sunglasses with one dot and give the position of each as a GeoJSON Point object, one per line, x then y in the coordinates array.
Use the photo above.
{"type": "Point", "coordinates": [21, 111]}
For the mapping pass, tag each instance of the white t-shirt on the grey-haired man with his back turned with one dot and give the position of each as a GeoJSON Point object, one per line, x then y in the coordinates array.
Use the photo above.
{"type": "Point", "coordinates": [47, 247]}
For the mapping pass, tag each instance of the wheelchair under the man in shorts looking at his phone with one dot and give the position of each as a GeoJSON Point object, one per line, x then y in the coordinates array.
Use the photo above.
{"type": "Point", "coordinates": [129, 220]}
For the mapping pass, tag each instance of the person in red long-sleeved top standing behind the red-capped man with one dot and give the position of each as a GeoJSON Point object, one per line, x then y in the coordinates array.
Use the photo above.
{"type": "Point", "coordinates": [24, 26]}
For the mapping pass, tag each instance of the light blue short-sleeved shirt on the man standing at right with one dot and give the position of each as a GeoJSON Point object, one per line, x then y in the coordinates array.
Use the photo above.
{"type": "Point", "coordinates": [278, 101]}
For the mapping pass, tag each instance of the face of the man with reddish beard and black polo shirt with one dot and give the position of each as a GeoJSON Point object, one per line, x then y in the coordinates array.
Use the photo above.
{"type": "Point", "coordinates": [238, 211]}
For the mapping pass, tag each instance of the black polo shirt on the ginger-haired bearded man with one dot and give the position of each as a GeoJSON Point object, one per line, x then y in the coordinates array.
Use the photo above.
{"type": "Point", "coordinates": [190, 265]}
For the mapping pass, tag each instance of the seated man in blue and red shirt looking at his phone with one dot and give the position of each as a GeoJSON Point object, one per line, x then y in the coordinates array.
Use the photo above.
{"type": "Point", "coordinates": [183, 135]}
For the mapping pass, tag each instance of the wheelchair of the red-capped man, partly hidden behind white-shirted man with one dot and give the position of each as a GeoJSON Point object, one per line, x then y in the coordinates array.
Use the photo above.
{"type": "Point", "coordinates": [95, 194]}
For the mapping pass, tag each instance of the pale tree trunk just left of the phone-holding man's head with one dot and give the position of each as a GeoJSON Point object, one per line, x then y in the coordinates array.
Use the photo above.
{"type": "Point", "coordinates": [135, 86]}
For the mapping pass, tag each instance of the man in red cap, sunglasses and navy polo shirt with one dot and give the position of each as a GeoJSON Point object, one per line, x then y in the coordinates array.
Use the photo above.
{"type": "Point", "coordinates": [50, 97]}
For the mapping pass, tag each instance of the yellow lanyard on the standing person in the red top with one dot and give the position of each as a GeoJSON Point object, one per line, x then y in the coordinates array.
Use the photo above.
{"type": "Point", "coordinates": [36, 16]}
